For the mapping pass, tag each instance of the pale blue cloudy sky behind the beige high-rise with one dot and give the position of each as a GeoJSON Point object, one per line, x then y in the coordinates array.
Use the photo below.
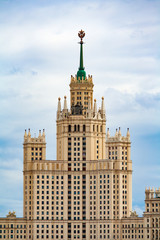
{"type": "Point", "coordinates": [39, 52]}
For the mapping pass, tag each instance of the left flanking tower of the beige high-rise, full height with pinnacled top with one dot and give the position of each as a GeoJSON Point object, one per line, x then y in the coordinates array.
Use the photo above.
{"type": "Point", "coordinates": [34, 155]}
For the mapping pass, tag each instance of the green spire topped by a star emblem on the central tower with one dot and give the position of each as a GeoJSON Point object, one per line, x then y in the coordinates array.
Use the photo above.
{"type": "Point", "coordinates": [81, 73]}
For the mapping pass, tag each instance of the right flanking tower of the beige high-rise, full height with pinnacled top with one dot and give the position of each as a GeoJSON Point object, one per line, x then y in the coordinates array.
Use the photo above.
{"type": "Point", "coordinates": [118, 151]}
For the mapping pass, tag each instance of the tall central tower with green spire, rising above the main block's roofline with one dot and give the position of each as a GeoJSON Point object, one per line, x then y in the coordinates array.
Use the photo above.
{"type": "Point", "coordinates": [81, 125]}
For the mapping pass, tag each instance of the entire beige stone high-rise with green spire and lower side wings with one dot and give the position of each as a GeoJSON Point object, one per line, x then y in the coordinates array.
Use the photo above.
{"type": "Point", "coordinates": [87, 192]}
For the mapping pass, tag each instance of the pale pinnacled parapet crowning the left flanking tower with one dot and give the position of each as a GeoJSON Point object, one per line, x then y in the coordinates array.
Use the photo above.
{"type": "Point", "coordinates": [29, 139]}
